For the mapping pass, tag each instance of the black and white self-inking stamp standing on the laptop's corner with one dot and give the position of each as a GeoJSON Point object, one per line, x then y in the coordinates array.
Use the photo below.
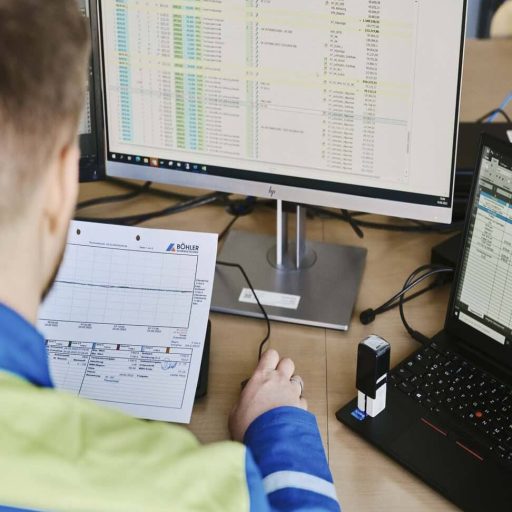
{"type": "Point", "coordinates": [373, 357]}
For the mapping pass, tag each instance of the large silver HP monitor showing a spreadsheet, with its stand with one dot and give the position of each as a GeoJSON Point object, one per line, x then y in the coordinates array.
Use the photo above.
{"type": "Point", "coordinates": [345, 103]}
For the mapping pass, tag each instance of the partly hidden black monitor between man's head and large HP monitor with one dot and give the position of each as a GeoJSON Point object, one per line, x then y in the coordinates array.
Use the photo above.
{"type": "Point", "coordinates": [92, 160]}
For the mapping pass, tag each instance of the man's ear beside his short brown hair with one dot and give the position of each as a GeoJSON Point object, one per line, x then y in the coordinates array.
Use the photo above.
{"type": "Point", "coordinates": [62, 188]}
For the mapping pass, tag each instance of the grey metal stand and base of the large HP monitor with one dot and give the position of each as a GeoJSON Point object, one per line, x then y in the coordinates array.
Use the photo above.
{"type": "Point", "coordinates": [308, 283]}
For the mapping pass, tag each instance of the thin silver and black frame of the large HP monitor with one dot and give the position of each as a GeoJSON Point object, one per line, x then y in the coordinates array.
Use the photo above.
{"type": "Point", "coordinates": [273, 189]}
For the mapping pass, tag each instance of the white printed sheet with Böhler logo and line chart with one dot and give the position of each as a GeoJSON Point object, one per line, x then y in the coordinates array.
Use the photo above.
{"type": "Point", "coordinates": [126, 320]}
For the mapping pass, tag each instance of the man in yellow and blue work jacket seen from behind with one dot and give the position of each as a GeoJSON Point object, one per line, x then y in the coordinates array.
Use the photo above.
{"type": "Point", "coordinates": [61, 453]}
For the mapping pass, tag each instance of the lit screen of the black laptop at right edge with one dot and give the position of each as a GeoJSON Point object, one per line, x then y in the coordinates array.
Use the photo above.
{"type": "Point", "coordinates": [483, 298]}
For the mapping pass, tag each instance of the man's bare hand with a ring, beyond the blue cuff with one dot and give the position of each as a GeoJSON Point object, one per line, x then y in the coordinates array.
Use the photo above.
{"type": "Point", "coordinates": [270, 386]}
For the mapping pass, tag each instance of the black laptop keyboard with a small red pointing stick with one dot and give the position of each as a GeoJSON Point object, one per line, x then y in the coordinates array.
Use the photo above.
{"type": "Point", "coordinates": [447, 384]}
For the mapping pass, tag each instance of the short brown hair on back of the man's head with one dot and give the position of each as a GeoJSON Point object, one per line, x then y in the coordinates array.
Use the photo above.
{"type": "Point", "coordinates": [43, 53]}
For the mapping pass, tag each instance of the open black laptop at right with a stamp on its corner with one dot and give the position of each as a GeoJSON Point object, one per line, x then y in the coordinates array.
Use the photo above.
{"type": "Point", "coordinates": [449, 405]}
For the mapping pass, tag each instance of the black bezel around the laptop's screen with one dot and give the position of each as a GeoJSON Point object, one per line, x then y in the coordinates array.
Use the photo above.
{"type": "Point", "coordinates": [463, 332]}
